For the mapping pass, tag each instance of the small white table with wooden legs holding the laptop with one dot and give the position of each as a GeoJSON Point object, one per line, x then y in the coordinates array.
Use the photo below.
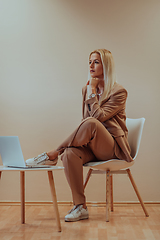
{"type": "Point", "coordinates": [22, 188]}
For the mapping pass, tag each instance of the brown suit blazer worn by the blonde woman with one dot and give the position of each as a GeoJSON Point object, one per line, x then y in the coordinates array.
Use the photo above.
{"type": "Point", "coordinates": [111, 113]}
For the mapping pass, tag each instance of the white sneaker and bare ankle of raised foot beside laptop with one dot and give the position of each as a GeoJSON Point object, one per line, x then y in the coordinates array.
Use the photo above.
{"type": "Point", "coordinates": [41, 159]}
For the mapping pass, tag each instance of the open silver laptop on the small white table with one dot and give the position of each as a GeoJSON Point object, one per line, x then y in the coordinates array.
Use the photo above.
{"type": "Point", "coordinates": [11, 153]}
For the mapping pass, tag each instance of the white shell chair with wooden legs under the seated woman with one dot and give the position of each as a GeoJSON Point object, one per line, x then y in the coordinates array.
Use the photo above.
{"type": "Point", "coordinates": [115, 166]}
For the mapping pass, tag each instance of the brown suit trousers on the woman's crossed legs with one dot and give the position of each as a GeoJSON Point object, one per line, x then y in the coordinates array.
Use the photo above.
{"type": "Point", "coordinates": [91, 141]}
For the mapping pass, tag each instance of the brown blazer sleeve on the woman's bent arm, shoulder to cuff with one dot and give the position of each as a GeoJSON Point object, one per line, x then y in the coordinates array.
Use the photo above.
{"type": "Point", "coordinates": [109, 108]}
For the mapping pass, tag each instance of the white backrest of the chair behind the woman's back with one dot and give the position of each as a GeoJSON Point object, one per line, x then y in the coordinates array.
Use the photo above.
{"type": "Point", "coordinates": [135, 128]}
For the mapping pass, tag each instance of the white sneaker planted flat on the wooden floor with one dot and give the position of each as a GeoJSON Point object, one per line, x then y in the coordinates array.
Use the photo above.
{"type": "Point", "coordinates": [77, 213]}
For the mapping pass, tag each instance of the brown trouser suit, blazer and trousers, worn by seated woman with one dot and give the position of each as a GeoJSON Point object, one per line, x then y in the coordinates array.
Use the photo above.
{"type": "Point", "coordinates": [101, 135]}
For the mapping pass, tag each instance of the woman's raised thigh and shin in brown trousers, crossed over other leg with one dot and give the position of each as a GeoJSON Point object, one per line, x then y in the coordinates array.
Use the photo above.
{"type": "Point", "coordinates": [91, 133]}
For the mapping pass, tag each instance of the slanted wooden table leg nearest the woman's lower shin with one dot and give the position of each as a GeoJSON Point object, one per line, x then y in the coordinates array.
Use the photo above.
{"type": "Point", "coordinates": [54, 199]}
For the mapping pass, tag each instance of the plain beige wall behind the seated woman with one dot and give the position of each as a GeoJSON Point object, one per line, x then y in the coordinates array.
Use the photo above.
{"type": "Point", "coordinates": [43, 65]}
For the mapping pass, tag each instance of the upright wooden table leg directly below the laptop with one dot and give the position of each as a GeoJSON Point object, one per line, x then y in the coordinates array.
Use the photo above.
{"type": "Point", "coordinates": [22, 187]}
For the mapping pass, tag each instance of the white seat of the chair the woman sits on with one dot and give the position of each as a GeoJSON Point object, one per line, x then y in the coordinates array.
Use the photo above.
{"type": "Point", "coordinates": [112, 165]}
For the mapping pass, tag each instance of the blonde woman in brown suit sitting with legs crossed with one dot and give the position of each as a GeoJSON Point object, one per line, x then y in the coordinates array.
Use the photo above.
{"type": "Point", "coordinates": [102, 134]}
